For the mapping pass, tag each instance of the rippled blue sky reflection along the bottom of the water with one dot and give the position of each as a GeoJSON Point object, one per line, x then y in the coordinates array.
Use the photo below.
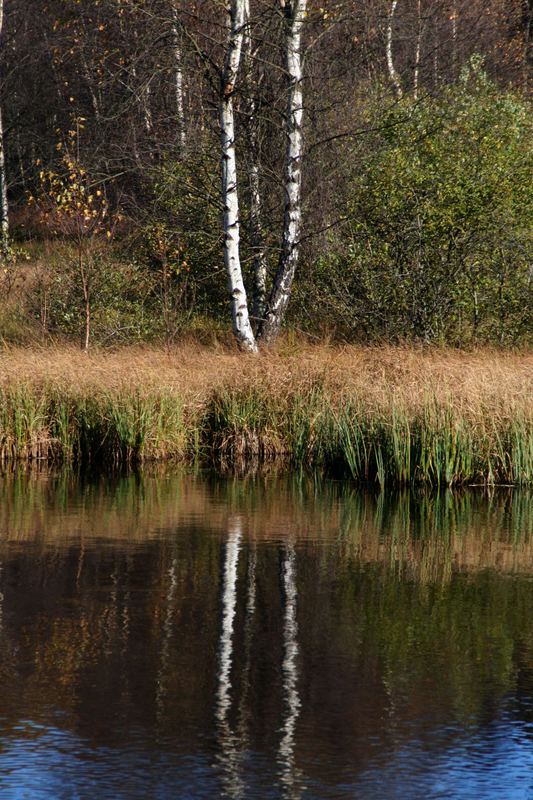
{"type": "Point", "coordinates": [488, 763]}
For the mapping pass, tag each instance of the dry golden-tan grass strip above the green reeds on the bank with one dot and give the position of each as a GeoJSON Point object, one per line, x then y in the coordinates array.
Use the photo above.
{"type": "Point", "coordinates": [475, 382]}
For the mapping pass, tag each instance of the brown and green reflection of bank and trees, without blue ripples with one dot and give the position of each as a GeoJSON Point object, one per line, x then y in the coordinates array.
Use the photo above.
{"type": "Point", "coordinates": [395, 590]}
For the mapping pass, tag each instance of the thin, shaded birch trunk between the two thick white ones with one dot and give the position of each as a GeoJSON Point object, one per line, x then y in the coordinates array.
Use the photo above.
{"type": "Point", "coordinates": [256, 206]}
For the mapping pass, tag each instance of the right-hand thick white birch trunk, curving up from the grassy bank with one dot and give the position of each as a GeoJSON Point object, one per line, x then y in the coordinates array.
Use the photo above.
{"type": "Point", "coordinates": [295, 12]}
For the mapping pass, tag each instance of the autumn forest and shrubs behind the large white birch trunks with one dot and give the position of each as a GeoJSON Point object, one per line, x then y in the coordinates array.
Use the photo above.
{"type": "Point", "coordinates": [416, 194]}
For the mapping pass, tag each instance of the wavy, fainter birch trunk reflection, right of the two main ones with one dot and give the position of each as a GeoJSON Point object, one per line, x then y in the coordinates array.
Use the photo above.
{"type": "Point", "coordinates": [289, 670]}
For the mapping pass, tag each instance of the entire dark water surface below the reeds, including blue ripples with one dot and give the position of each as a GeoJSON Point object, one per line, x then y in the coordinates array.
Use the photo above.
{"type": "Point", "coordinates": [179, 637]}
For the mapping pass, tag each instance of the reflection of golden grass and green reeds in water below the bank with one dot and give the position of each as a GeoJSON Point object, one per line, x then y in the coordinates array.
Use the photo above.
{"type": "Point", "coordinates": [424, 535]}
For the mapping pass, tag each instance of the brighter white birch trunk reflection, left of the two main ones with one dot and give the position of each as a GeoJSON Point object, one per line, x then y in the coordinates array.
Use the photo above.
{"type": "Point", "coordinates": [229, 756]}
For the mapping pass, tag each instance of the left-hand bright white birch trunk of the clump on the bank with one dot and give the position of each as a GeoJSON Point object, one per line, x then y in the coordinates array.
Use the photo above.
{"type": "Point", "coordinates": [239, 305]}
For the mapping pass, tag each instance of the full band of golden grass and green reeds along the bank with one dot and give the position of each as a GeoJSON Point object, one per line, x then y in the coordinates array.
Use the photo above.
{"type": "Point", "coordinates": [385, 415]}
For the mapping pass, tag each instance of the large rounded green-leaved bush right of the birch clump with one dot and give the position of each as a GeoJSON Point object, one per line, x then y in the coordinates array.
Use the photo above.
{"type": "Point", "coordinates": [437, 234]}
